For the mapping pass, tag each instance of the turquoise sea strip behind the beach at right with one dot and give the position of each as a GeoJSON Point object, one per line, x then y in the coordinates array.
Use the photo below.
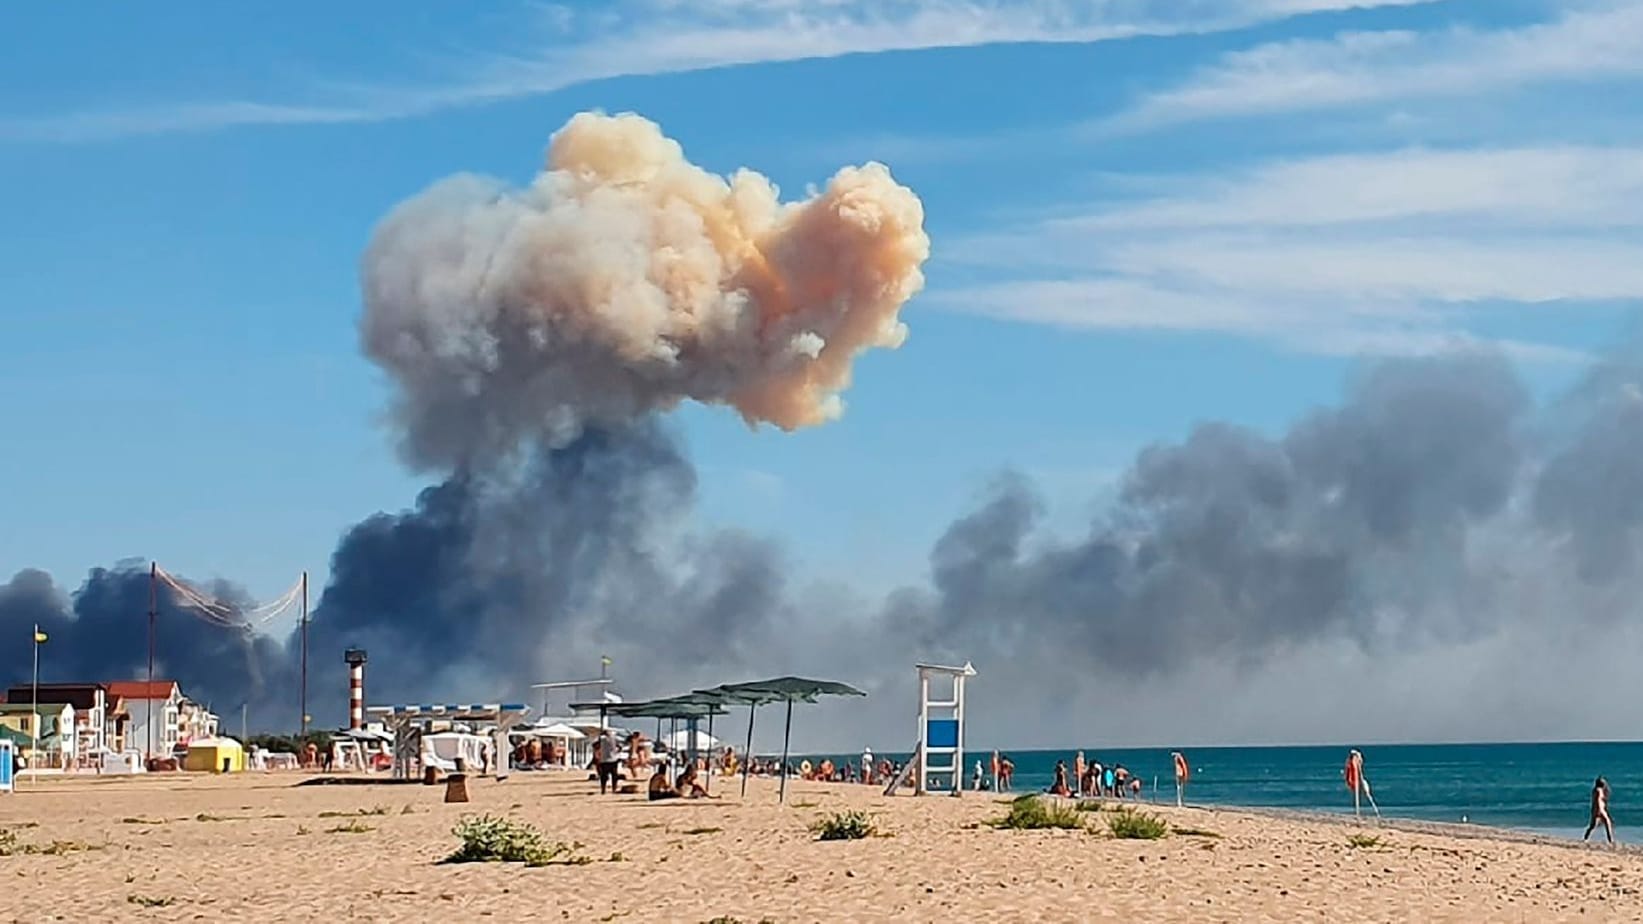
{"type": "Point", "coordinates": [1542, 788]}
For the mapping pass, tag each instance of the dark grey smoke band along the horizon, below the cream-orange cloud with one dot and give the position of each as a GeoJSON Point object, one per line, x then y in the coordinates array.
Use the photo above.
{"type": "Point", "coordinates": [1427, 540]}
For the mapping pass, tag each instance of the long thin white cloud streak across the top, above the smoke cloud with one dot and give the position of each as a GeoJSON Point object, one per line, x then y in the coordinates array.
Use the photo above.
{"type": "Point", "coordinates": [666, 37]}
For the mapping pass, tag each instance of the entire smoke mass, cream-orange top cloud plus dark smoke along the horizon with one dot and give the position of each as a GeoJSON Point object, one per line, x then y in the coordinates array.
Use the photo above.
{"type": "Point", "coordinates": [1414, 553]}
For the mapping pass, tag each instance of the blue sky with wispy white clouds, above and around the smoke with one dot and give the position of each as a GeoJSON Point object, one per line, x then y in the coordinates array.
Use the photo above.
{"type": "Point", "coordinates": [1144, 215]}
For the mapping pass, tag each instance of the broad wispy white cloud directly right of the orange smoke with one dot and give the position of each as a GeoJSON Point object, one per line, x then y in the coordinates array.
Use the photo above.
{"type": "Point", "coordinates": [1373, 254]}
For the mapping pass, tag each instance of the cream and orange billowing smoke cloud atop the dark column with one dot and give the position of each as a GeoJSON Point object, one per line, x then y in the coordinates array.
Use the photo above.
{"type": "Point", "coordinates": [622, 282]}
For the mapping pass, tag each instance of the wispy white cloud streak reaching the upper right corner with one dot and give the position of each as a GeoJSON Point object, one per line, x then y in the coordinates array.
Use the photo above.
{"type": "Point", "coordinates": [1596, 40]}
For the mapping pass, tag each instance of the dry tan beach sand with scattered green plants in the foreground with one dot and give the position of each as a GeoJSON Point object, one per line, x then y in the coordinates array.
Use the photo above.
{"type": "Point", "coordinates": [255, 848]}
